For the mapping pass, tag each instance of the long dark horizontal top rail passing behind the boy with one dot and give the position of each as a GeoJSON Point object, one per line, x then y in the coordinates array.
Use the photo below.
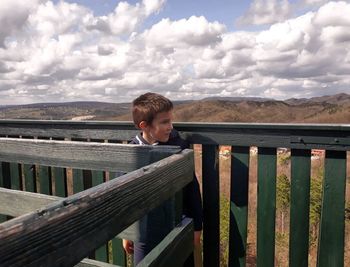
{"type": "Point", "coordinates": [300, 136]}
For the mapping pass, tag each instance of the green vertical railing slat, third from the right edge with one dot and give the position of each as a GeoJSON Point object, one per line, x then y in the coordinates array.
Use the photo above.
{"type": "Point", "coordinates": [266, 207]}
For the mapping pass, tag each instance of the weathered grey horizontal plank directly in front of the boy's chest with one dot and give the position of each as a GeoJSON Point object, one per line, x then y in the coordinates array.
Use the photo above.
{"type": "Point", "coordinates": [81, 155]}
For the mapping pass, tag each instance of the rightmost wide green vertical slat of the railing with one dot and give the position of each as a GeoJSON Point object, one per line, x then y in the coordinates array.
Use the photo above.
{"type": "Point", "coordinates": [331, 237]}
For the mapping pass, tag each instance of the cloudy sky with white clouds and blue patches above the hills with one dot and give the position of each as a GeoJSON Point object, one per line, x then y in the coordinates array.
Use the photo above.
{"type": "Point", "coordinates": [108, 50]}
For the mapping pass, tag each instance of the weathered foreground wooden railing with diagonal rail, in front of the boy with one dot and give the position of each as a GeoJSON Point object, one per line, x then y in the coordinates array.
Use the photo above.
{"type": "Point", "coordinates": [61, 231]}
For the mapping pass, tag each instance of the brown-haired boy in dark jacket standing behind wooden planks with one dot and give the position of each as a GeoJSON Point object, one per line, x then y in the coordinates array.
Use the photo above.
{"type": "Point", "coordinates": [152, 114]}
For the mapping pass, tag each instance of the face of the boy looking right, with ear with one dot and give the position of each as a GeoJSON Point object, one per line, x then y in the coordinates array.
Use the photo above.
{"type": "Point", "coordinates": [160, 128]}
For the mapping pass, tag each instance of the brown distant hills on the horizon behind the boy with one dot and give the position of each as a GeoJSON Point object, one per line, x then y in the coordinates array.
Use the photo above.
{"type": "Point", "coordinates": [325, 109]}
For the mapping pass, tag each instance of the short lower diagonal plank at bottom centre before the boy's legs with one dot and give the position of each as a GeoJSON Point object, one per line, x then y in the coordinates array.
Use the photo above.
{"type": "Point", "coordinates": [174, 249]}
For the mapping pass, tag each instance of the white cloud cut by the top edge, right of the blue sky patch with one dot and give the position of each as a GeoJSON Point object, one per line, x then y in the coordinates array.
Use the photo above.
{"type": "Point", "coordinates": [265, 12]}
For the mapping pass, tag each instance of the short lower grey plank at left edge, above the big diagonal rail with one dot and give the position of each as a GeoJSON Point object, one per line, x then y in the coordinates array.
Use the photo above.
{"type": "Point", "coordinates": [15, 203]}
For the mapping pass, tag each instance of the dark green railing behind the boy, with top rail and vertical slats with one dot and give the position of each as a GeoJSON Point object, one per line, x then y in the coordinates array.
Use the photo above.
{"type": "Point", "coordinates": [300, 139]}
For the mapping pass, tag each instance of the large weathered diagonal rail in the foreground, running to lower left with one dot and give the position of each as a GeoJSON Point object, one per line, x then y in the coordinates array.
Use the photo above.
{"type": "Point", "coordinates": [53, 235]}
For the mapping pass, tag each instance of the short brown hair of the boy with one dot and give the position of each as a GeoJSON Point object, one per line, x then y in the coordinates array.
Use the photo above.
{"type": "Point", "coordinates": [147, 106]}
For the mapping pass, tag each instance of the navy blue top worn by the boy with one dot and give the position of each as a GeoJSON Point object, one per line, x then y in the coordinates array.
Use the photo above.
{"type": "Point", "coordinates": [192, 202]}
